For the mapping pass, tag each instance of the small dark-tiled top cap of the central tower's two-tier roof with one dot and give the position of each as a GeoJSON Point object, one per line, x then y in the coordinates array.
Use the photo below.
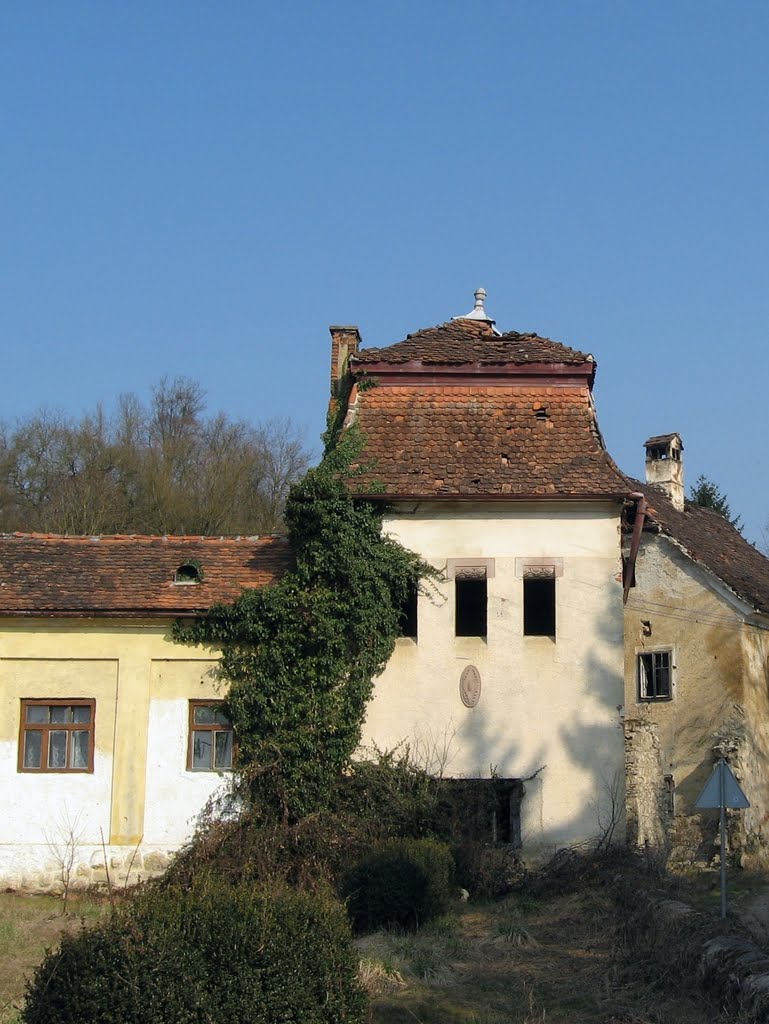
{"type": "Point", "coordinates": [462, 343]}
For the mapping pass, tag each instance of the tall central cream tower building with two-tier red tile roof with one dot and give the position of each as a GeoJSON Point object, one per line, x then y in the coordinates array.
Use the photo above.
{"type": "Point", "coordinates": [487, 449]}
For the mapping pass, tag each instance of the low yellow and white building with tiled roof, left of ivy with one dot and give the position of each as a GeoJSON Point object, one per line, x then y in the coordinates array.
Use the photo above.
{"type": "Point", "coordinates": [111, 738]}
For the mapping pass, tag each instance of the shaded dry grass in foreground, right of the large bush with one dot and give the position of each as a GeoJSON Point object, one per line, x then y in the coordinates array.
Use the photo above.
{"type": "Point", "coordinates": [552, 960]}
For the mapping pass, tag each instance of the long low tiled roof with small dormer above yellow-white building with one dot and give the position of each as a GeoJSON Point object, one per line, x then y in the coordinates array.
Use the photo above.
{"type": "Point", "coordinates": [131, 576]}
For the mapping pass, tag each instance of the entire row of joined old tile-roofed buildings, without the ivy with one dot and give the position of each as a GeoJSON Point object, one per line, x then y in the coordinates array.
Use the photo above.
{"type": "Point", "coordinates": [587, 628]}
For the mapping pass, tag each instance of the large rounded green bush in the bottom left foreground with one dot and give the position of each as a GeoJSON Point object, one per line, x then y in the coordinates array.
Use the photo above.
{"type": "Point", "coordinates": [209, 953]}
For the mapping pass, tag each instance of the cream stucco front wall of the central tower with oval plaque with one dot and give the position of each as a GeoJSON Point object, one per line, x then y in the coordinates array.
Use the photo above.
{"type": "Point", "coordinates": [550, 708]}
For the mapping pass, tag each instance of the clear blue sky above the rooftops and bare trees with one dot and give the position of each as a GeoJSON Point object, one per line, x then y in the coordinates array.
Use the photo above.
{"type": "Point", "coordinates": [201, 189]}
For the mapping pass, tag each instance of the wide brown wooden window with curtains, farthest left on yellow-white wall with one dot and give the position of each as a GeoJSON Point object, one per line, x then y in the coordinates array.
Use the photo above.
{"type": "Point", "coordinates": [57, 736]}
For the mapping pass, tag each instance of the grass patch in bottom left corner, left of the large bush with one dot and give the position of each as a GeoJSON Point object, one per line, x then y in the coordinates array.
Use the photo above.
{"type": "Point", "coordinates": [29, 926]}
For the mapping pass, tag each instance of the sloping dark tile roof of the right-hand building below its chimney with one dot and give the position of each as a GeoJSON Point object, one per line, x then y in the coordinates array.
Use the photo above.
{"type": "Point", "coordinates": [712, 541]}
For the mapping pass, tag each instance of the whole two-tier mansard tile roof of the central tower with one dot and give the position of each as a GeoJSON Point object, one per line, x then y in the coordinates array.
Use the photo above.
{"type": "Point", "coordinates": [458, 411]}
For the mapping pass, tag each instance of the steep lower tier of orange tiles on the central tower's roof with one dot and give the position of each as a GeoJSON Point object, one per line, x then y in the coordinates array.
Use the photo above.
{"type": "Point", "coordinates": [491, 441]}
